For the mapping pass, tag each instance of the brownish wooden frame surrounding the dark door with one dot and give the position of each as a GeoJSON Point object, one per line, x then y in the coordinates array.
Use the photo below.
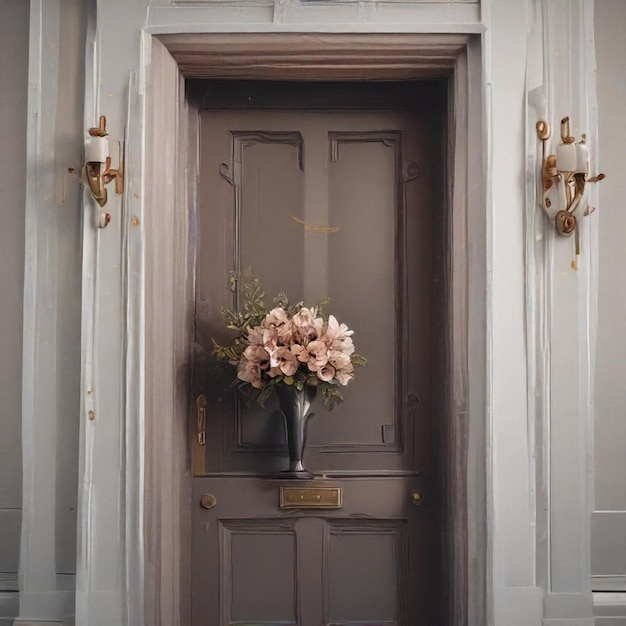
{"type": "Point", "coordinates": [170, 174]}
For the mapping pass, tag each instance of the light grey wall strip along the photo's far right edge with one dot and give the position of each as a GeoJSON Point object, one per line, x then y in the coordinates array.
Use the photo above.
{"type": "Point", "coordinates": [609, 526]}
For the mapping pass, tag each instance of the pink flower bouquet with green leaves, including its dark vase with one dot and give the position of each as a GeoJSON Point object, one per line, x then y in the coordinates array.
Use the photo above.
{"type": "Point", "coordinates": [292, 350]}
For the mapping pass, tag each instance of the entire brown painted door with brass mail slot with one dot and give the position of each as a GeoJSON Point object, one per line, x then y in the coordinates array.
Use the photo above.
{"type": "Point", "coordinates": [344, 204]}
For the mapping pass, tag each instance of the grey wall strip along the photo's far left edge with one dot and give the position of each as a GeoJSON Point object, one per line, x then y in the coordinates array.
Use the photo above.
{"type": "Point", "coordinates": [13, 97]}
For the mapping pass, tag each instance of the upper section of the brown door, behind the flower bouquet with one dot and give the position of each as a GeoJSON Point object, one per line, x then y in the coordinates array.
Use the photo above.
{"type": "Point", "coordinates": [337, 228]}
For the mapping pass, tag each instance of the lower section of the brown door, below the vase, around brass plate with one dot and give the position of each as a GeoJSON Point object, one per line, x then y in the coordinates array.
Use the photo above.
{"type": "Point", "coordinates": [370, 562]}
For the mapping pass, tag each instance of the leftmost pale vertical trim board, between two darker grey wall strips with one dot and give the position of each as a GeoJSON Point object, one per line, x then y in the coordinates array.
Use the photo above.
{"type": "Point", "coordinates": [36, 560]}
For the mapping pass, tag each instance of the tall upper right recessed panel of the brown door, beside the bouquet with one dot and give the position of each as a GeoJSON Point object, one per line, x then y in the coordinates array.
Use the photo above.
{"type": "Point", "coordinates": [363, 176]}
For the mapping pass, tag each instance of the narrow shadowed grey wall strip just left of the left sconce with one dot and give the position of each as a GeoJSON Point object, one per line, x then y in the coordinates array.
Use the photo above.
{"type": "Point", "coordinates": [68, 146]}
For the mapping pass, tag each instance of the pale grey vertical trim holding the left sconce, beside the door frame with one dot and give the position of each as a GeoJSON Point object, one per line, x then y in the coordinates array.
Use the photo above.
{"type": "Point", "coordinates": [110, 555]}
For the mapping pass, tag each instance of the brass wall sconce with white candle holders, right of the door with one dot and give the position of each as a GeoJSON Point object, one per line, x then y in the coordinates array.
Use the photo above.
{"type": "Point", "coordinates": [564, 178]}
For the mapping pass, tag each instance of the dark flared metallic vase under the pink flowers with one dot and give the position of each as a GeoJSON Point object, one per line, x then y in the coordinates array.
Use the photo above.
{"type": "Point", "coordinates": [295, 406]}
